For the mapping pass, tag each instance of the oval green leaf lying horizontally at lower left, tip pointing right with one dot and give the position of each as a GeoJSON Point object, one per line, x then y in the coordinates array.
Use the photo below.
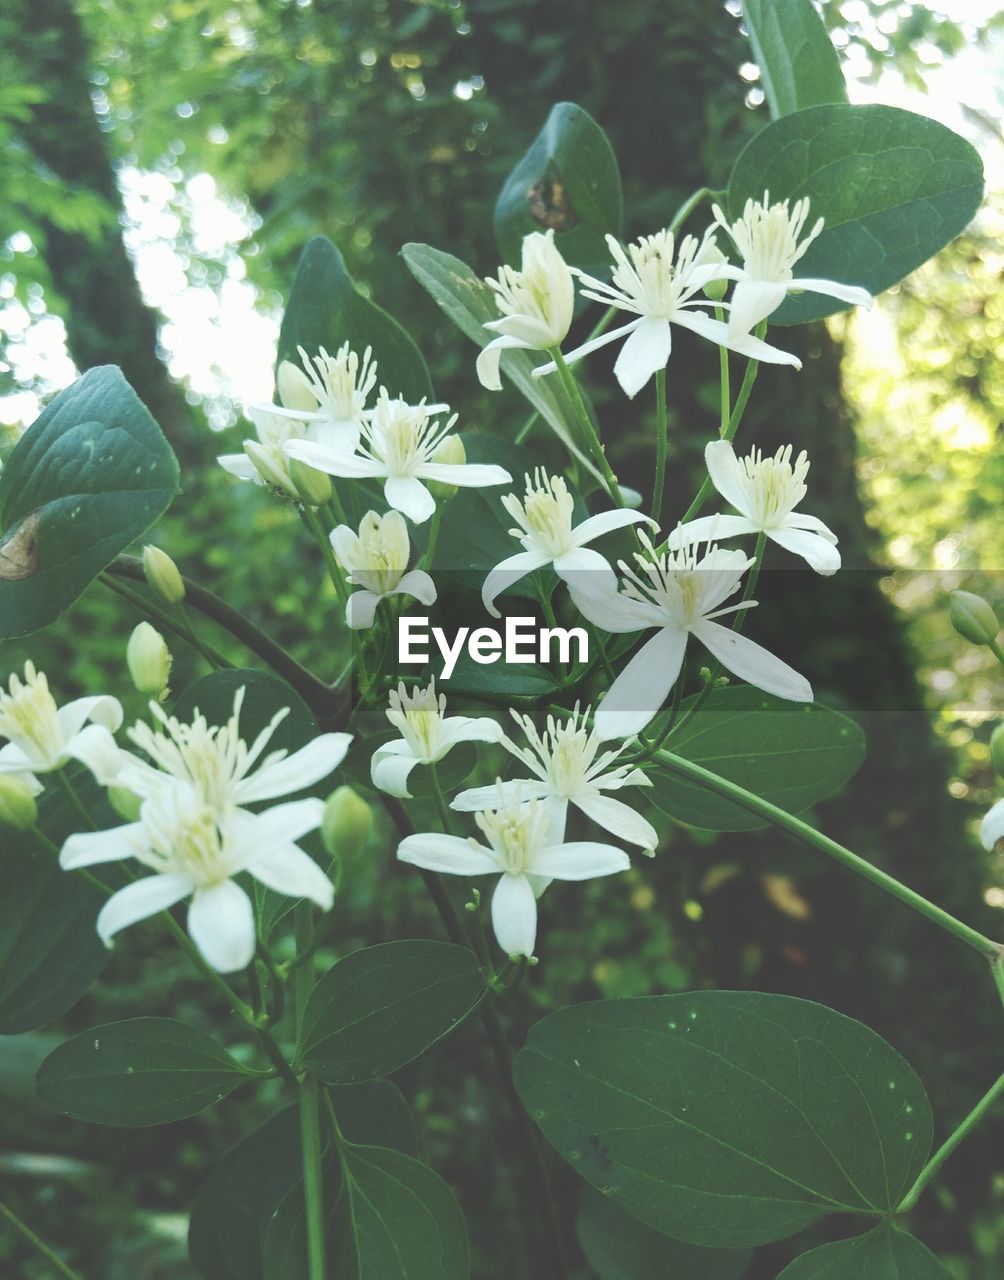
{"type": "Point", "coordinates": [147, 1071]}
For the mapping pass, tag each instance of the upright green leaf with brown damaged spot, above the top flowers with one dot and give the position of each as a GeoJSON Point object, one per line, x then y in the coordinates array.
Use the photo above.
{"type": "Point", "coordinates": [568, 181]}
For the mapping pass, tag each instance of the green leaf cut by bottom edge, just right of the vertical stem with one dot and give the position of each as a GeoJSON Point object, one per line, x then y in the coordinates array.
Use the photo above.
{"type": "Point", "coordinates": [407, 1222]}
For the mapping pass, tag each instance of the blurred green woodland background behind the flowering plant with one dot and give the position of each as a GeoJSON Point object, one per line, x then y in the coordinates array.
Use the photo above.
{"type": "Point", "coordinates": [162, 166]}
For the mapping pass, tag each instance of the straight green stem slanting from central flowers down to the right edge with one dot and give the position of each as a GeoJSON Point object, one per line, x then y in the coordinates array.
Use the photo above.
{"type": "Point", "coordinates": [804, 831]}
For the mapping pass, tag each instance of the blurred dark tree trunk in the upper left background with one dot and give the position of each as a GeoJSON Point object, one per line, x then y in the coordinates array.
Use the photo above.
{"type": "Point", "coordinates": [106, 316]}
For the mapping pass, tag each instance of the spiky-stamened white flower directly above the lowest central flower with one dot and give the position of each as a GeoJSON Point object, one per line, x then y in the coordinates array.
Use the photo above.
{"type": "Point", "coordinates": [569, 767]}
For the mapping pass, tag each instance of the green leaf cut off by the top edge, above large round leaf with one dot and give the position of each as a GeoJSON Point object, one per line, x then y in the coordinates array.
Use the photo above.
{"type": "Point", "coordinates": [797, 61]}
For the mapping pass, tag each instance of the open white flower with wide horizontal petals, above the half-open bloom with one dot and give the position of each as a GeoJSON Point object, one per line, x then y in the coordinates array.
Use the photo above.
{"type": "Point", "coordinates": [398, 446]}
